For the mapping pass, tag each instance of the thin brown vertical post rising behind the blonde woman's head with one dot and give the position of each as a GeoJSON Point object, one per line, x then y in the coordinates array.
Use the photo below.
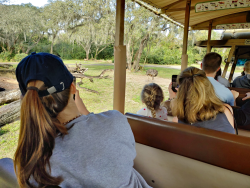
{"type": "Point", "coordinates": [184, 57]}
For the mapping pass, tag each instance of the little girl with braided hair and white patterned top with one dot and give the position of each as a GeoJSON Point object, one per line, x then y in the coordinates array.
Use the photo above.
{"type": "Point", "coordinates": [152, 95]}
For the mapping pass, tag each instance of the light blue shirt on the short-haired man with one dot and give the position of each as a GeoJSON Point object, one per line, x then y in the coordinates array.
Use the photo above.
{"type": "Point", "coordinates": [223, 93]}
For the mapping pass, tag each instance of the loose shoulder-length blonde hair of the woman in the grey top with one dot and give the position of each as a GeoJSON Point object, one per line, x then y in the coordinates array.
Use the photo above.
{"type": "Point", "coordinates": [195, 99]}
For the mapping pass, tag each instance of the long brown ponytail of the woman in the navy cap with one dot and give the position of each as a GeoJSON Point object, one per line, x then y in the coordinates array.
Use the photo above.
{"type": "Point", "coordinates": [38, 129]}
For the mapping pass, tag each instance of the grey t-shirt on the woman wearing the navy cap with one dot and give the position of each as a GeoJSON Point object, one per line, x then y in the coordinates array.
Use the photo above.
{"type": "Point", "coordinates": [98, 152]}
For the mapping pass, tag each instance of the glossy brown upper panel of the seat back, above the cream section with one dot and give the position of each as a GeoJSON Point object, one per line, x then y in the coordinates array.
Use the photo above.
{"type": "Point", "coordinates": [212, 147]}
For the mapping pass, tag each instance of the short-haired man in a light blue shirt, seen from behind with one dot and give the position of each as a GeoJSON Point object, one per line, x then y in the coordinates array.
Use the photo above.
{"type": "Point", "coordinates": [210, 65]}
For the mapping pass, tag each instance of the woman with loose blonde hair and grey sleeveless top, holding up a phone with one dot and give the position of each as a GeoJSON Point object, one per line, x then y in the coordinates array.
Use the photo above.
{"type": "Point", "coordinates": [196, 103]}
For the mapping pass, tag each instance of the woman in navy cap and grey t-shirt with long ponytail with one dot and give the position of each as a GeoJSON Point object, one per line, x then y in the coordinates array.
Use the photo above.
{"type": "Point", "coordinates": [60, 142]}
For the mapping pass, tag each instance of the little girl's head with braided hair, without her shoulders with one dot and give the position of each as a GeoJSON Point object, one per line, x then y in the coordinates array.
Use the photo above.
{"type": "Point", "coordinates": [152, 96]}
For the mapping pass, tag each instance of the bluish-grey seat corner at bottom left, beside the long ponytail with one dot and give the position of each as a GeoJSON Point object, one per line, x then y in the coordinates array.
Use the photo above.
{"type": "Point", "coordinates": [7, 174]}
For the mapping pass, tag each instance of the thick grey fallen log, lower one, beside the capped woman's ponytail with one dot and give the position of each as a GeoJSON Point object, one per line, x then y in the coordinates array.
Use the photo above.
{"type": "Point", "coordinates": [10, 112]}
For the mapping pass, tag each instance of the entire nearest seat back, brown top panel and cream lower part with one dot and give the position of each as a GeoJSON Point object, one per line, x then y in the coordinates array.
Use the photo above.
{"type": "Point", "coordinates": [177, 155]}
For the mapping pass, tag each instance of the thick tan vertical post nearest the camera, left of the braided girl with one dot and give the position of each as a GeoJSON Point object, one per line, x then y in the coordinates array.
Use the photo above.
{"type": "Point", "coordinates": [120, 59]}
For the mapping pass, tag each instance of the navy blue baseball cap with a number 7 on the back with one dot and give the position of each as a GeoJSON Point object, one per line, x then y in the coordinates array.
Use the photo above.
{"type": "Point", "coordinates": [47, 68]}
